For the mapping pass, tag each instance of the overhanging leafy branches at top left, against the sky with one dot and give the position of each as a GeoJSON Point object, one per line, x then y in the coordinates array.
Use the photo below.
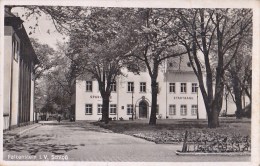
{"type": "Point", "coordinates": [64, 18]}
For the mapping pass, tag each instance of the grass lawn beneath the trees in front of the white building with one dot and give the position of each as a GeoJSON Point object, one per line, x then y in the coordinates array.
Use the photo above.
{"type": "Point", "coordinates": [173, 129]}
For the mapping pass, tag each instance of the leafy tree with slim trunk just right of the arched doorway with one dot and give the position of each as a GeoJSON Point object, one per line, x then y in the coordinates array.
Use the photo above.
{"type": "Point", "coordinates": [155, 44]}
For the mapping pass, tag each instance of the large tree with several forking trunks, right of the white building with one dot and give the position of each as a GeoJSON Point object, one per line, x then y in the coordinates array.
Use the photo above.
{"type": "Point", "coordinates": [217, 34]}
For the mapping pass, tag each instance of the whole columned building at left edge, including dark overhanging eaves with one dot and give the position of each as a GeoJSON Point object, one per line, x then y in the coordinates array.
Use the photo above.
{"type": "Point", "coordinates": [18, 82]}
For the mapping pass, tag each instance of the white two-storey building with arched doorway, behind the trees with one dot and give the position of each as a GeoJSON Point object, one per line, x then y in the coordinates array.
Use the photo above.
{"type": "Point", "coordinates": [177, 98]}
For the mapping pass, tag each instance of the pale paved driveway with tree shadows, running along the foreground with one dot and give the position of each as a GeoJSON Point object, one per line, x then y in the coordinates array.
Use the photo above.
{"type": "Point", "coordinates": [85, 142]}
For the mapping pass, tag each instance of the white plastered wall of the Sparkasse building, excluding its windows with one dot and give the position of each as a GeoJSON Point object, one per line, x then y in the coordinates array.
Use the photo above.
{"type": "Point", "coordinates": [122, 98]}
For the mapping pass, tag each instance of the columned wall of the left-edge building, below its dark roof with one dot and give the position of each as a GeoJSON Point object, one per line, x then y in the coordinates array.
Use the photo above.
{"type": "Point", "coordinates": [13, 92]}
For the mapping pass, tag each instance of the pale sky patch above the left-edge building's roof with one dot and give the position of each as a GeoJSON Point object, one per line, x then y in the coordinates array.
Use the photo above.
{"type": "Point", "coordinates": [45, 25]}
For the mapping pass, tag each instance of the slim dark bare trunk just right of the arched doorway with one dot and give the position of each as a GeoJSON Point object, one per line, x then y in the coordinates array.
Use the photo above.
{"type": "Point", "coordinates": [154, 102]}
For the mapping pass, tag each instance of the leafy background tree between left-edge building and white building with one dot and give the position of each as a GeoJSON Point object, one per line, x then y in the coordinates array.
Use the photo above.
{"type": "Point", "coordinates": [52, 86]}
